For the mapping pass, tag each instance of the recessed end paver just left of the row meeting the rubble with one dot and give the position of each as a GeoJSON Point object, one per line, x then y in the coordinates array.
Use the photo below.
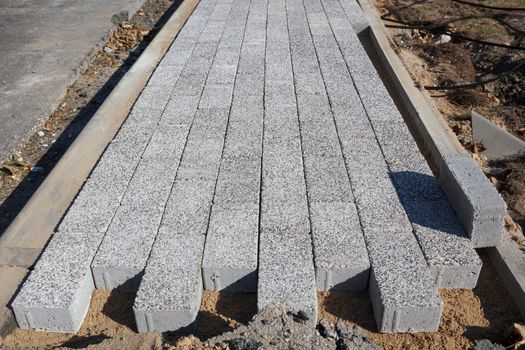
{"type": "Point", "coordinates": [230, 254]}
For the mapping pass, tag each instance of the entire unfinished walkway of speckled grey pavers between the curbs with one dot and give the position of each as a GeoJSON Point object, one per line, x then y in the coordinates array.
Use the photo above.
{"type": "Point", "coordinates": [264, 155]}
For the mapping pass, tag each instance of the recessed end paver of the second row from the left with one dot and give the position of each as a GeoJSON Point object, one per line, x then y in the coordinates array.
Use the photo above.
{"type": "Point", "coordinates": [122, 255]}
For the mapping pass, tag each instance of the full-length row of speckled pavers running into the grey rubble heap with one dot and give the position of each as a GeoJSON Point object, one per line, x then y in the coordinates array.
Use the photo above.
{"type": "Point", "coordinates": [286, 269]}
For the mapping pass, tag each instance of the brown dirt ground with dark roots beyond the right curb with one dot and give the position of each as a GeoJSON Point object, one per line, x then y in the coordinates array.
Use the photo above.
{"type": "Point", "coordinates": [415, 27]}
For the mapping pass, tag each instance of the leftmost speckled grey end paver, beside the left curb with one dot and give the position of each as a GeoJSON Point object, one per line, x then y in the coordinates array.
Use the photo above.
{"type": "Point", "coordinates": [56, 295]}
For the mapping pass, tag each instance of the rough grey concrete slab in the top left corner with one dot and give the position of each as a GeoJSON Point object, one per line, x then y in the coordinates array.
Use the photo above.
{"type": "Point", "coordinates": [44, 45]}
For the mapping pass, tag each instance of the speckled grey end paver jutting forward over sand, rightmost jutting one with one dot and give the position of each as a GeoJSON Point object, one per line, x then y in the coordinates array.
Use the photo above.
{"type": "Point", "coordinates": [401, 289]}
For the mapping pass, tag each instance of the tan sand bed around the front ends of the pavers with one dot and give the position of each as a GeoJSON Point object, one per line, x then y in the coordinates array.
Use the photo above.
{"type": "Point", "coordinates": [487, 312]}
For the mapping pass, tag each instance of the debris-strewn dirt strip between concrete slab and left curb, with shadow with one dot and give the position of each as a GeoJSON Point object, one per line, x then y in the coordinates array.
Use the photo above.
{"type": "Point", "coordinates": [21, 175]}
